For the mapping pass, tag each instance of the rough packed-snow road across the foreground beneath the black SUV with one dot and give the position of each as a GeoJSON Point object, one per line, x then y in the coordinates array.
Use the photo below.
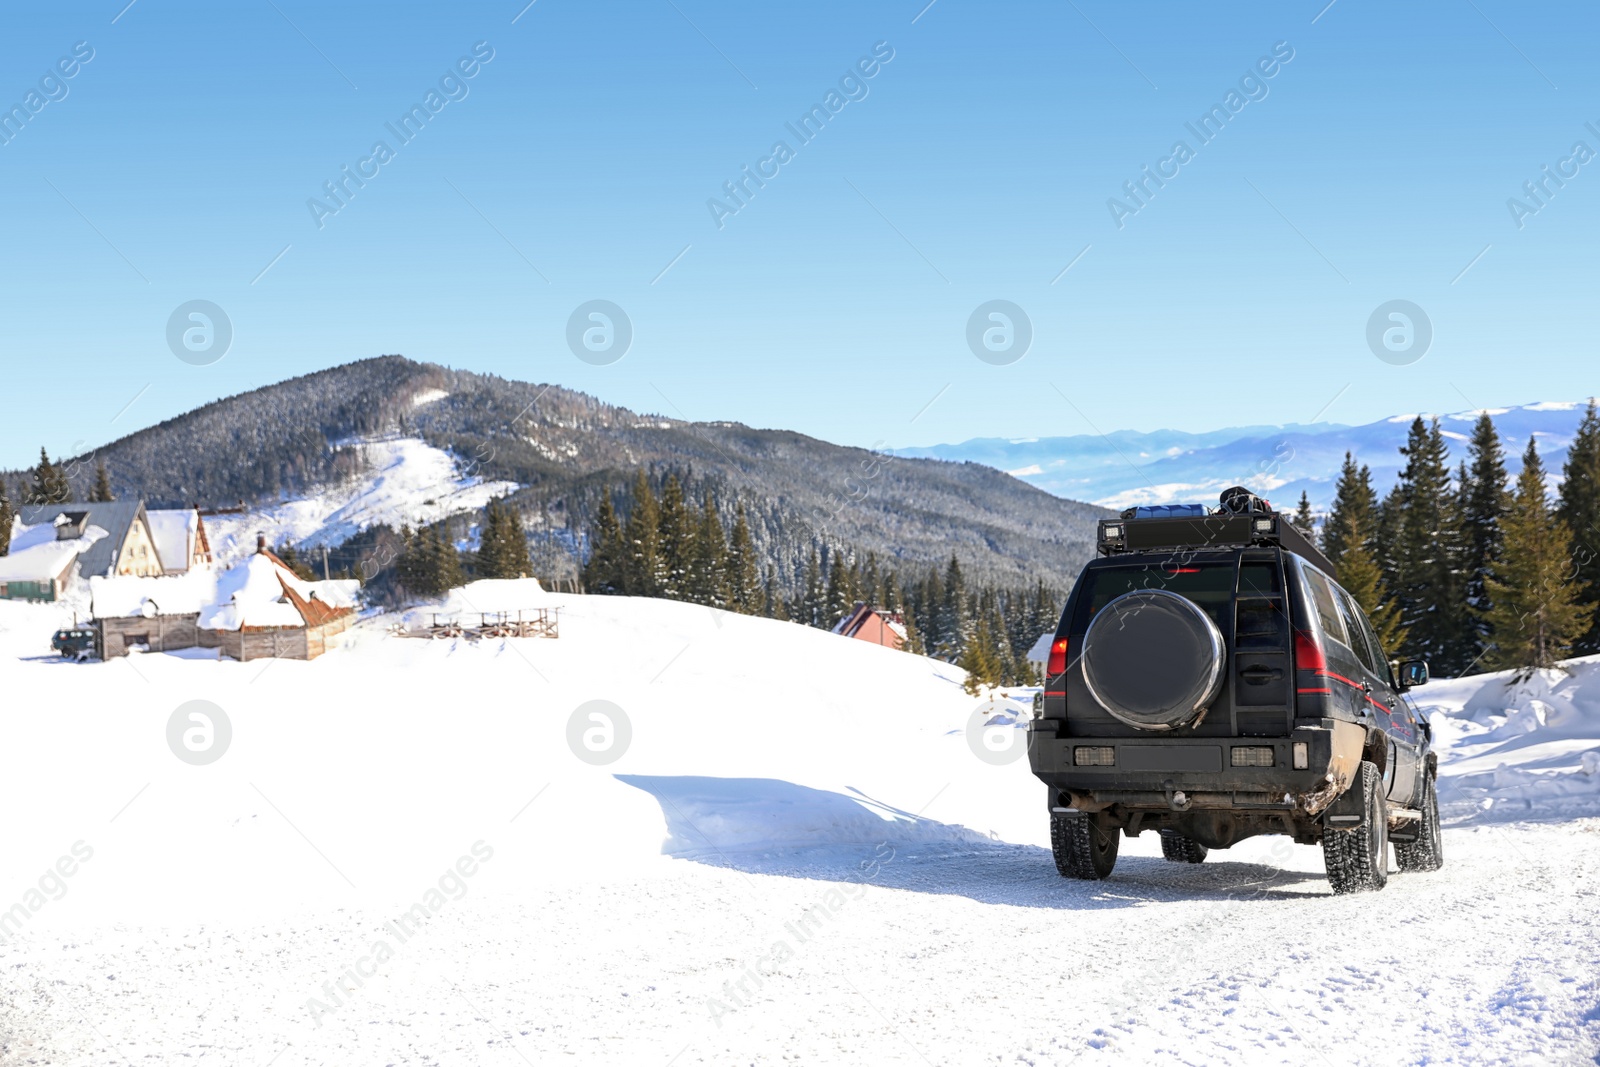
{"type": "Point", "coordinates": [974, 959]}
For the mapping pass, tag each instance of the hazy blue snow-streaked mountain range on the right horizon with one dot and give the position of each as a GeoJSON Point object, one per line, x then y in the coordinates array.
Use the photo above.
{"type": "Point", "coordinates": [1278, 462]}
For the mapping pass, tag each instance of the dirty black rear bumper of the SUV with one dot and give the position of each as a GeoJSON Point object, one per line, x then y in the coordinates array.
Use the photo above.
{"type": "Point", "coordinates": [1185, 773]}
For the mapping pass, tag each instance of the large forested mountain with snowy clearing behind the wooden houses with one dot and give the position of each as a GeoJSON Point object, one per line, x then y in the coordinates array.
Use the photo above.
{"type": "Point", "coordinates": [308, 458]}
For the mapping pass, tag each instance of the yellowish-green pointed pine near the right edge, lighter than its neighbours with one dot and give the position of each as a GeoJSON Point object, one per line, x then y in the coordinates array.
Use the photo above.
{"type": "Point", "coordinates": [1537, 612]}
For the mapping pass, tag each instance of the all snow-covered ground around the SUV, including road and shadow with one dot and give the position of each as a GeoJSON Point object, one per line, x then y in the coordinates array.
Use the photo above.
{"type": "Point", "coordinates": [415, 853]}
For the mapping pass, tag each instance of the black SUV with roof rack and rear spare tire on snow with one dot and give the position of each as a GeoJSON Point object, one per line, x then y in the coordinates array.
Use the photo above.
{"type": "Point", "coordinates": [1210, 681]}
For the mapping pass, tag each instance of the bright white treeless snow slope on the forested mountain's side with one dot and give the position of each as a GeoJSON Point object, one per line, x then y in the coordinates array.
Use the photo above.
{"type": "Point", "coordinates": [407, 482]}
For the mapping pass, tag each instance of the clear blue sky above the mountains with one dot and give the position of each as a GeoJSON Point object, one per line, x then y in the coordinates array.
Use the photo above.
{"type": "Point", "coordinates": [975, 164]}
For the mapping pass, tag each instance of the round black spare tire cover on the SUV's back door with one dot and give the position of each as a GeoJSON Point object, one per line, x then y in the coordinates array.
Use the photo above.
{"type": "Point", "coordinates": [1153, 660]}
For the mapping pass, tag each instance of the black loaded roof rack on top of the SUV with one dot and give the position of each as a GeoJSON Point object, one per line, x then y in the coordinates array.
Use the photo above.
{"type": "Point", "coordinates": [1244, 521]}
